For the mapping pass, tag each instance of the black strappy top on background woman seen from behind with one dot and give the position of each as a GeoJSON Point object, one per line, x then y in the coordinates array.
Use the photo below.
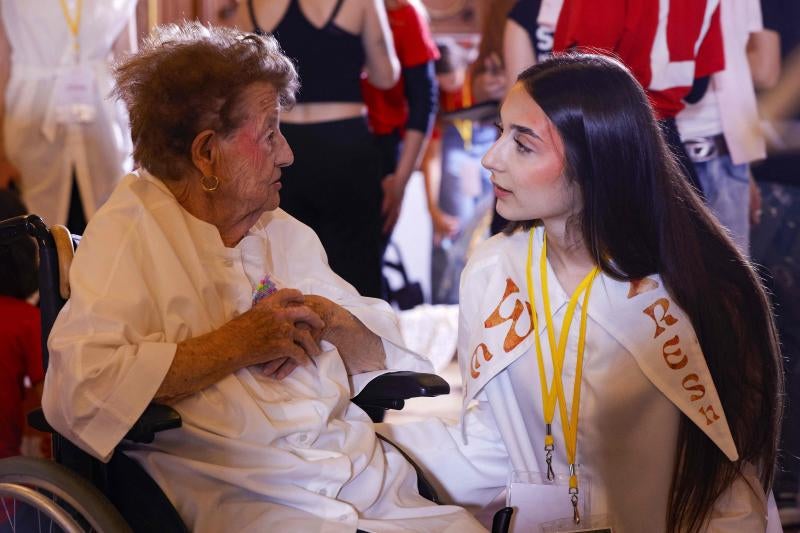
{"type": "Point", "coordinates": [328, 59]}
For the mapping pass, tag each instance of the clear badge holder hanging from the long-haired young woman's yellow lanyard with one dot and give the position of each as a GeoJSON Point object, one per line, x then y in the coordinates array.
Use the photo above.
{"type": "Point", "coordinates": [540, 503]}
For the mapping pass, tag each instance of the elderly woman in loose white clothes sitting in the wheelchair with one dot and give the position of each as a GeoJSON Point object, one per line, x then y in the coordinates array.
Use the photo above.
{"type": "Point", "coordinates": [187, 288]}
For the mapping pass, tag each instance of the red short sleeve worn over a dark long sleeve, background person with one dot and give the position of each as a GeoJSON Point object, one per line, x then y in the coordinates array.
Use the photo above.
{"type": "Point", "coordinates": [412, 37]}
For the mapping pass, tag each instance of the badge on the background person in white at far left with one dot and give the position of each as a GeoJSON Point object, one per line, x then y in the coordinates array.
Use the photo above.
{"type": "Point", "coordinates": [74, 96]}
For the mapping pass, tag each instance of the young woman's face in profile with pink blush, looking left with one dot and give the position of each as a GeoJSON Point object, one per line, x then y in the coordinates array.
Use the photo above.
{"type": "Point", "coordinates": [527, 164]}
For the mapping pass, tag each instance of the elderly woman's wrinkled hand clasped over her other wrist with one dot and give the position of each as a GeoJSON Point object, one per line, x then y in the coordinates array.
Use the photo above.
{"type": "Point", "coordinates": [279, 331]}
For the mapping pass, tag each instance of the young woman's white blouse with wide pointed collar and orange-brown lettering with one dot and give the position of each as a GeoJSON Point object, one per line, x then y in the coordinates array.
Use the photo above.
{"type": "Point", "coordinates": [630, 405]}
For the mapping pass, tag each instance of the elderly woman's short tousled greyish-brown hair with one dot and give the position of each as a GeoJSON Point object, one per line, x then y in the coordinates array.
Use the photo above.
{"type": "Point", "coordinates": [188, 78]}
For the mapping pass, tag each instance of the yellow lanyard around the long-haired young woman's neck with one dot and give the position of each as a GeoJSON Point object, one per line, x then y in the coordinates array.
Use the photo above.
{"type": "Point", "coordinates": [555, 393]}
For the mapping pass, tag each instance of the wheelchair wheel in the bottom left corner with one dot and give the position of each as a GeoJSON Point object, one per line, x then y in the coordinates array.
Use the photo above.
{"type": "Point", "coordinates": [40, 495]}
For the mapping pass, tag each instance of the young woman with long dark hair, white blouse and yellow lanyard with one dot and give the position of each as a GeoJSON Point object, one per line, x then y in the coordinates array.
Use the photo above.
{"type": "Point", "coordinates": [613, 337]}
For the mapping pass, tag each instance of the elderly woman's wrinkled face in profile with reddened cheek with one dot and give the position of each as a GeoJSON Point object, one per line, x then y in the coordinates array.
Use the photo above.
{"type": "Point", "coordinates": [253, 154]}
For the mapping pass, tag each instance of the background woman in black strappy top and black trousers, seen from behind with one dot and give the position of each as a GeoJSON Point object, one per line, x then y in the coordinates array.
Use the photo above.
{"type": "Point", "coordinates": [335, 184]}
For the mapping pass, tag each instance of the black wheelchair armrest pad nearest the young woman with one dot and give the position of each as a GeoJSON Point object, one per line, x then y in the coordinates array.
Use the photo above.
{"type": "Point", "coordinates": [390, 390]}
